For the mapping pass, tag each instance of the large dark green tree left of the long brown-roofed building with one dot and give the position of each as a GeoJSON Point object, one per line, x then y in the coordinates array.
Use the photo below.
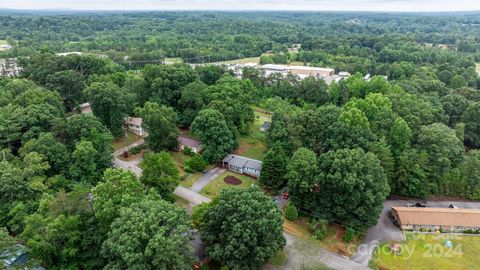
{"type": "Point", "coordinates": [353, 184]}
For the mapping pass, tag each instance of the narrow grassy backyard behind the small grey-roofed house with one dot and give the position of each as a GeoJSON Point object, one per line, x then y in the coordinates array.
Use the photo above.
{"type": "Point", "coordinates": [253, 145]}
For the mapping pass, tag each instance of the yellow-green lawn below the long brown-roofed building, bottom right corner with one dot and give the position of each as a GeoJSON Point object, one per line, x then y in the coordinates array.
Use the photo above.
{"type": "Point", "coordinates": [428, 251]}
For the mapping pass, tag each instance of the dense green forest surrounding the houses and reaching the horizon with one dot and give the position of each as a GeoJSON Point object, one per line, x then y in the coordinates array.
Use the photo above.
{"type": "Point", "coordinates": [411, 130]}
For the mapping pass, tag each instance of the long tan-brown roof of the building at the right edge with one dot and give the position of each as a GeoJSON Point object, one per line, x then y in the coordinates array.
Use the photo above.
{"type": "Point", "coordinates": [438, 216]}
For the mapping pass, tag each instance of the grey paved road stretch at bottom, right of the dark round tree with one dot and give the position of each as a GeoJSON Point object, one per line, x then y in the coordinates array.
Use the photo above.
{"type": "Point", "coordinates": [306, 254]}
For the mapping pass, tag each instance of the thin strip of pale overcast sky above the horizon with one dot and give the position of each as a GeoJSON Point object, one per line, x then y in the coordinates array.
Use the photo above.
{"type": "Point", "coordinates": [312, 5]}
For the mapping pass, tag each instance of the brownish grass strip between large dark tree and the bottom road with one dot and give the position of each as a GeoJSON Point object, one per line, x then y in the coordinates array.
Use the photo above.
{"type": "Point", "coordinates": [332, 241]}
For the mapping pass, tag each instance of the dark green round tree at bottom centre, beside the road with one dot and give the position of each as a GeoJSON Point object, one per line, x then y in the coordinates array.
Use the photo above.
{"type": "Point", "coordinates": [242, 229]}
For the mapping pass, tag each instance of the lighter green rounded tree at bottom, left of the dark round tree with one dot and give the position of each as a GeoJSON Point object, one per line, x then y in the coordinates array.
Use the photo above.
{"type": "Point", "coordinates": [149, 234]}
